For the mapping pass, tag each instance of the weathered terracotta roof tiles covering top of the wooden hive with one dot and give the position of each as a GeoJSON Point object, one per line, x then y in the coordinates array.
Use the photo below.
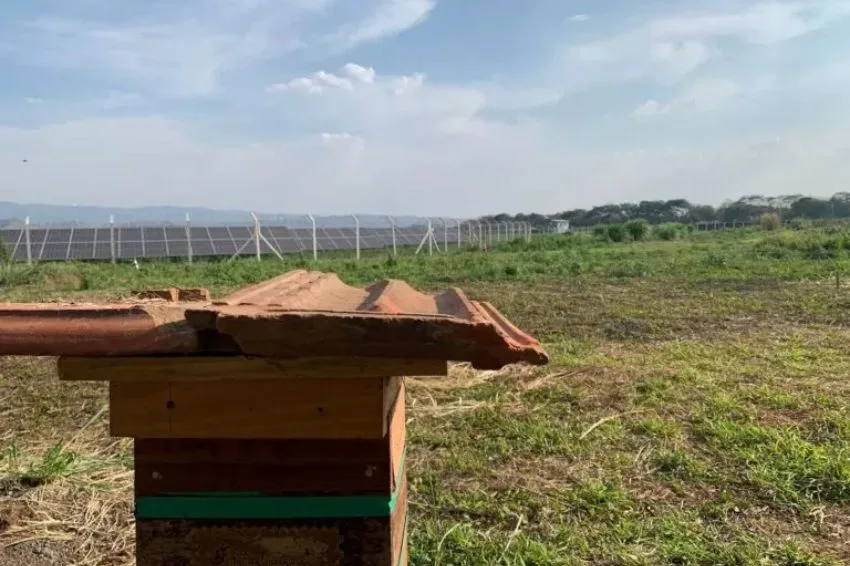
{"type": "Point", "coordinates": [299, 314]}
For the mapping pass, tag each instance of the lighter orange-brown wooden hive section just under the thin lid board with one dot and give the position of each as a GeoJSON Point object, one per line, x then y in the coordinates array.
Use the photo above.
{"type": "Point", "coordinates": [271, 408]}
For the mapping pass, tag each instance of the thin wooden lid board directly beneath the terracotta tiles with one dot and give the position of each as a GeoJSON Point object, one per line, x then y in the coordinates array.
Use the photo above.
{"type": "Point", "coordinates": [205, 368]}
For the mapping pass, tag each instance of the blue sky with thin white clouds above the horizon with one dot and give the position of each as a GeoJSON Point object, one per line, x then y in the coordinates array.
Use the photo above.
{"type": "Point", "coordinates": [440, 107]}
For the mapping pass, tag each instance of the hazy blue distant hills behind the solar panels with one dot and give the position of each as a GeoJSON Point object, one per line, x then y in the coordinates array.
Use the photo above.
{"type": "Point", "coordinates": [12, 215]}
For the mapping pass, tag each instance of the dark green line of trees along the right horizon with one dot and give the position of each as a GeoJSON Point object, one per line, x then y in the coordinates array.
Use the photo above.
{"type": "Point", "coordinates": [745, 209]}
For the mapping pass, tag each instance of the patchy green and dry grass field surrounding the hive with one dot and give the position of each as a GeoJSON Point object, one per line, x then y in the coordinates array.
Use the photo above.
{"type": "Point", "coordinates": [696, 410]}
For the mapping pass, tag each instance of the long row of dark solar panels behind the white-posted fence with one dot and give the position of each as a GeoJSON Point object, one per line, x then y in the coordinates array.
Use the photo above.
{"type": "Point", "coordinates": [79, 244]}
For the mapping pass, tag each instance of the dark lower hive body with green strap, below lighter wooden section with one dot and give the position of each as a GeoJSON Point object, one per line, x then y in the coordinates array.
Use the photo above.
{"type": "Point", "coordinates": [282, 501]}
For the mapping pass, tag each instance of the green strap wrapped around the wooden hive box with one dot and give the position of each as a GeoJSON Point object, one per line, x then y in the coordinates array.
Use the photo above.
{"type": "Point", "coordinates": [252, 505]}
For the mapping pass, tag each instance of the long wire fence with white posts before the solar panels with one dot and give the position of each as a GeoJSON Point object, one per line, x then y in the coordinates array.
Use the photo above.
{"type": "Point", "coordinates": [111, 242]}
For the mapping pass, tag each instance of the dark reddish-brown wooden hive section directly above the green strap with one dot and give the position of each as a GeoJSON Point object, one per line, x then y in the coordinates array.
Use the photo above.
{"type": "Point", "coordinates": [274, 467]}
